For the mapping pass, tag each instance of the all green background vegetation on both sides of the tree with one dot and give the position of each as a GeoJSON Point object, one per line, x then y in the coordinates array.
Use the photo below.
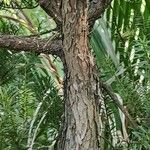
{"type": "Point", "coordinates": [31, 102]}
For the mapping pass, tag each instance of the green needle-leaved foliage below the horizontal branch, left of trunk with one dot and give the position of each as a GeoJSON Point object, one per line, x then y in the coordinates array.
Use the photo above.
{"type": "Point", "coordinates": [23, 87]}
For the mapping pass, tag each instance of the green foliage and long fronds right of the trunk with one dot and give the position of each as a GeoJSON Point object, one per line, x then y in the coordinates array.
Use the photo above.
{"type": "Point", "coordinates": [120, 41]}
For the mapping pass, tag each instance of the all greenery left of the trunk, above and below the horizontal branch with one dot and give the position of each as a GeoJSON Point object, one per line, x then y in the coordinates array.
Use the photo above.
{"type": "Point", "coordinates": [31, 103]}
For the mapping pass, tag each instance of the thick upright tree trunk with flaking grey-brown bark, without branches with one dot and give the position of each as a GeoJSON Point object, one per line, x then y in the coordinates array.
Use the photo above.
{"type": "Point", "coordinates": [81, 125]}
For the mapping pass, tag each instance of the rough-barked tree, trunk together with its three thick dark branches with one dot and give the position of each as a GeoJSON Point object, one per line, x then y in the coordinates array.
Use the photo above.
{"type": "Point", "coordinates": [81, 88]}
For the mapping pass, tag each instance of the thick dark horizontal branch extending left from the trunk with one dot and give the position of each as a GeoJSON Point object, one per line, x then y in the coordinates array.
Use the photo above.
{"type": "Point", "coordinates": [53, 46]}
